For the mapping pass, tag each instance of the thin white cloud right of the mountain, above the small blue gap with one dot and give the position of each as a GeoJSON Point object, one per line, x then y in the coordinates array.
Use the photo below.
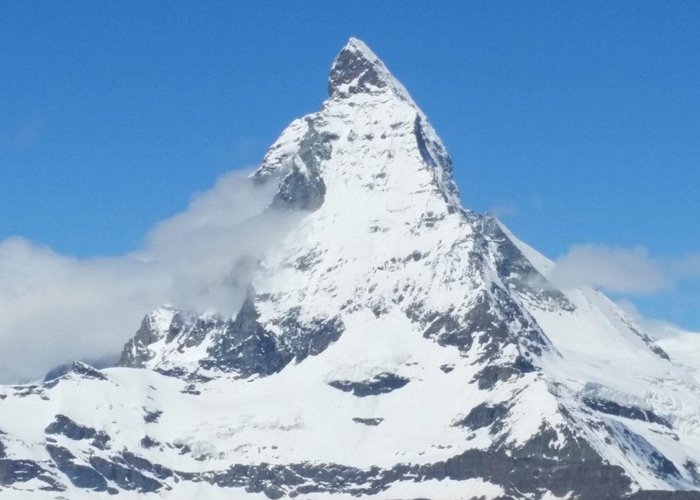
{"type": "Point", "coordinates": [622, 270]}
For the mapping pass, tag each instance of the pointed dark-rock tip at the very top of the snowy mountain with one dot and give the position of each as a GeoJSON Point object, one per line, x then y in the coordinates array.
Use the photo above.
{"type": "Point", "coordinates": [358, 70]}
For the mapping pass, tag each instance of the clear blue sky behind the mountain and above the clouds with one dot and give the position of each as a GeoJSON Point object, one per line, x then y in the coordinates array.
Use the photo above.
{"type": "Point", "coordinates": [577, 122]}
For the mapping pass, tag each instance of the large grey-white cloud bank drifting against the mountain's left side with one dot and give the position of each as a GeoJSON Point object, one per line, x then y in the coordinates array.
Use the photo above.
{"type": "Point", "coordinates": [57, 308]}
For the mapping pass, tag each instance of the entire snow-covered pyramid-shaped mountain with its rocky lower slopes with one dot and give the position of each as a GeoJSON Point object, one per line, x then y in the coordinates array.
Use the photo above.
{"type": "Point", "coordinates": [393, 344]}
